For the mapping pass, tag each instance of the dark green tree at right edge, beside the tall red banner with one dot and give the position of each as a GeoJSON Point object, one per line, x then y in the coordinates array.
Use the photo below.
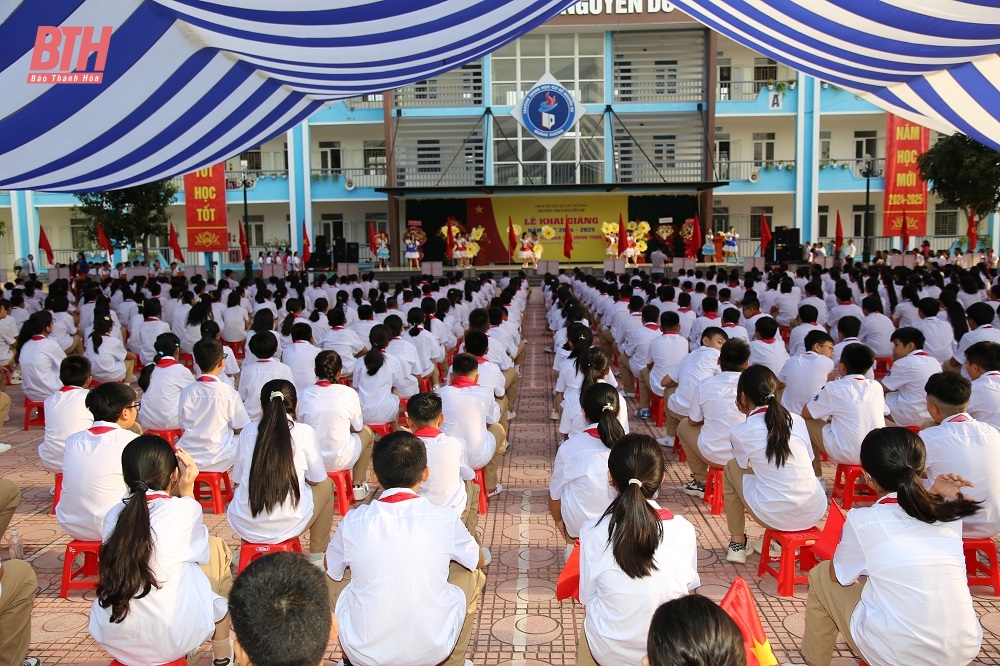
{"type": "Point", "coordinates": [963, 173]}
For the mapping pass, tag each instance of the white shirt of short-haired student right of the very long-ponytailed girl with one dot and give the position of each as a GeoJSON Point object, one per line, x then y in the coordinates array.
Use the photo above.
{"type": "Point", "coordinates": [334, 411]}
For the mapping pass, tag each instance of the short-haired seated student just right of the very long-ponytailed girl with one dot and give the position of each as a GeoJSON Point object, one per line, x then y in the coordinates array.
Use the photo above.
{"type": "Point", "coordinates": [334, 412]}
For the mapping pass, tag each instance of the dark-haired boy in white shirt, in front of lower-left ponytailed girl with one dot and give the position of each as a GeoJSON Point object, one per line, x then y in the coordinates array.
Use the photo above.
{"type": "Point", "coordinates": [92, 462]}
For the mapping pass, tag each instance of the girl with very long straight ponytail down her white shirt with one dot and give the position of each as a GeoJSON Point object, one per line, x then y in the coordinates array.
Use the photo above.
{"type": "Point", "coordinates": [282, 487]}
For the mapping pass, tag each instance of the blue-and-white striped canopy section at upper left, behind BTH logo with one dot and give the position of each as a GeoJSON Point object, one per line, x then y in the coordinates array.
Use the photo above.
{"type": "Point", "coordinates": [193, 82]}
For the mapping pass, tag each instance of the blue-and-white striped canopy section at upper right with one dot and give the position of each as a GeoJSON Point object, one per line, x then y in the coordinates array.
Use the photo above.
{"type": "Point", "coordinates": [933, 62]}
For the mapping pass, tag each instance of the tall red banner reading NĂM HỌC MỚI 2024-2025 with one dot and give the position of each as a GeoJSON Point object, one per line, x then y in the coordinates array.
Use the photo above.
{"type": "Point", "coordinates": [905, 190]}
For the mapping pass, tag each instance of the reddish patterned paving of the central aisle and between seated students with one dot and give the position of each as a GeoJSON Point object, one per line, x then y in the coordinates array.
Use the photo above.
{"type": "Point", "coordinates": [520, 622]}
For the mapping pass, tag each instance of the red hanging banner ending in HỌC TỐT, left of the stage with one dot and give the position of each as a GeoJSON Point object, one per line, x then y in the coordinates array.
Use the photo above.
{"type": "Point", "coordinates": [205, 204]}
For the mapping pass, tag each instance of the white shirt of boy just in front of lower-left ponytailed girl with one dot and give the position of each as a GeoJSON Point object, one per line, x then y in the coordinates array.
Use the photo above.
{"type": "Point", "coordinates": [92, 479]}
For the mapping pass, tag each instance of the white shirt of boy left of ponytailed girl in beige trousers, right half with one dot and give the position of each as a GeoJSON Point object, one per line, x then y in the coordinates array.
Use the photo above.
{"type": "Point", "coordinates": [713, 401]}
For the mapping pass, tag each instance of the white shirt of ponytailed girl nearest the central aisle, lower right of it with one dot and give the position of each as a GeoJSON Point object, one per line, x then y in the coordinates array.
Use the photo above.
{"type": "Point", "coordinates": [619, 608]}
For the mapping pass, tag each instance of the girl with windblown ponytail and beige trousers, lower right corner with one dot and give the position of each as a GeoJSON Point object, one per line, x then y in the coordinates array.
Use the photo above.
{"type": "Point", "coordinates": [896, 589]}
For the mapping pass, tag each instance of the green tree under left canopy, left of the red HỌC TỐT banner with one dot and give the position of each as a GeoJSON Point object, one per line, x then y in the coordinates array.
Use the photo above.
{"type": "Point", "coordinates": [131, 215]}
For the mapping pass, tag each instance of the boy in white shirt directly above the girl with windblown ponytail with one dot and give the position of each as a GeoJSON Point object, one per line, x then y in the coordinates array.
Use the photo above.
{"type": "Point", "coordinates": [904, 385]}
